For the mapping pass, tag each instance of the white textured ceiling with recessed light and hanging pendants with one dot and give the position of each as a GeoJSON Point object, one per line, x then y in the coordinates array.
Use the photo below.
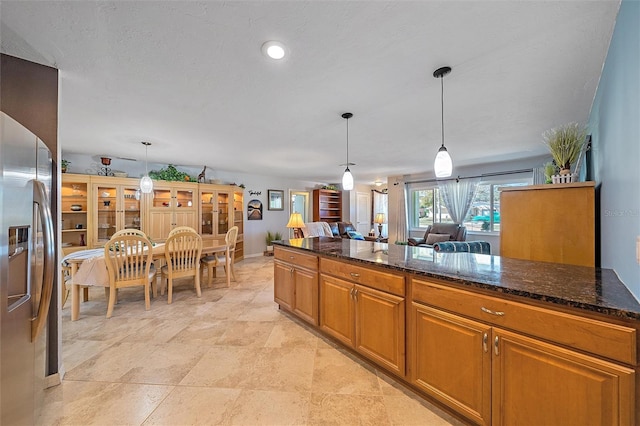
{"type": "Point", "coordinates": [190, 77]}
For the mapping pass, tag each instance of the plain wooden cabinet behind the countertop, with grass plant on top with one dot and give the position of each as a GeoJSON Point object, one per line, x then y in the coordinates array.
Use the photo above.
{"type": "Point", "coordinates": [549, 223]}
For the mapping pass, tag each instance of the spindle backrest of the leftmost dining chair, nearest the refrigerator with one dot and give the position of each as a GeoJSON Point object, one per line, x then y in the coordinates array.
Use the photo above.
{"type": "Point", "coordinates": [128, 259]}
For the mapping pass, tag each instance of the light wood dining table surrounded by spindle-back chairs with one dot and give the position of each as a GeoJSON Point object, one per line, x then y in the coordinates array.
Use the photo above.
{"type": "Point", "coordinates": [88, 268]}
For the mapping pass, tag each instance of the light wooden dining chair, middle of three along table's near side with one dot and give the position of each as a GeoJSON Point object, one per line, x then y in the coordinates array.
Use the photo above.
{"type": "Point", "coordinates": [182, 252]}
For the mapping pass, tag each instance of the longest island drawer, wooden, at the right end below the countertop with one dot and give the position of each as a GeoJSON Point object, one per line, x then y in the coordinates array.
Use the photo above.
{"type": "Point", "coordinates": [608, 340]}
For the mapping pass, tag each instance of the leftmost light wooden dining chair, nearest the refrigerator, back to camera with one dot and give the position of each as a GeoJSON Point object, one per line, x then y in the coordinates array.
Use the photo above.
{"type": "Point", "coordinates": [129, 260]}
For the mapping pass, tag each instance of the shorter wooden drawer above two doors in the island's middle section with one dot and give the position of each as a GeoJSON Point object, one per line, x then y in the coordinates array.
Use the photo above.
{"type": "Point", "coordinates": [380, 280]}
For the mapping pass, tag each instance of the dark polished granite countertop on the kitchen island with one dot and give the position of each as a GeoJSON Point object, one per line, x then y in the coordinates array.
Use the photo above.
{"type": "Point", "coordinates": [590, 289]}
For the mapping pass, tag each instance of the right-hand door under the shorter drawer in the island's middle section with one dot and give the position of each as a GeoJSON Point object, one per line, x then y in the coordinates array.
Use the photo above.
{"type": "Point", "coordinates": [380, 327]}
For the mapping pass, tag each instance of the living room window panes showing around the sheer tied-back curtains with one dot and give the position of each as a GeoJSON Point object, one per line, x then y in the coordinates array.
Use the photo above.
{"type": "Point", "coordinates": [426, 206]}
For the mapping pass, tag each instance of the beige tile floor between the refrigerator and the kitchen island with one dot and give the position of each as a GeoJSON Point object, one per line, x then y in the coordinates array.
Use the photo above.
{"type": "Point", "coordinates": [230, 357]}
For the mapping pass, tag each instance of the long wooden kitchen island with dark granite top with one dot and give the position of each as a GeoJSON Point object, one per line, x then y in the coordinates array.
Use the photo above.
{"type": "Point", "coordinates": [498, 341]}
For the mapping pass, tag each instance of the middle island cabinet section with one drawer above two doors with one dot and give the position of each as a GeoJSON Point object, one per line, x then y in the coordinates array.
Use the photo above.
{"type": "Point", "coordinates": [358, 313]}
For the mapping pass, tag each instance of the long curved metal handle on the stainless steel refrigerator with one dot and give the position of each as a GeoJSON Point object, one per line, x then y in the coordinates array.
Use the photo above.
{"type": "Point", "coordinates": [44, 210]}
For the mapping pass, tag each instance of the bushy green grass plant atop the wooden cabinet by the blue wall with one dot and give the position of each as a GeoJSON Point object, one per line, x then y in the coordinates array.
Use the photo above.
{"type": "Point", "coordinates": [565, 144]}
